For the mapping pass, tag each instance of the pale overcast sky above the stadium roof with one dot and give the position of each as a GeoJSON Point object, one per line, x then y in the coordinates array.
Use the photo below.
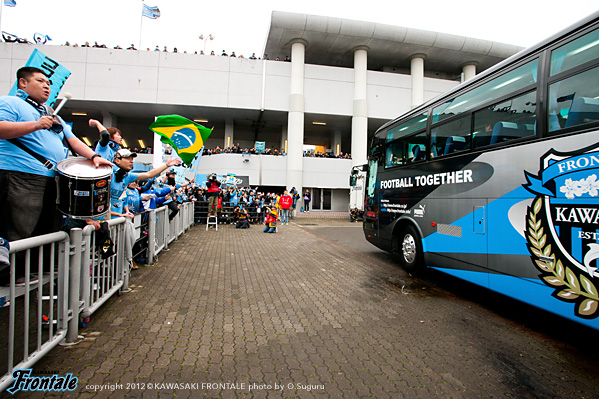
{"type": "Point", "coordinates": [242, 26]}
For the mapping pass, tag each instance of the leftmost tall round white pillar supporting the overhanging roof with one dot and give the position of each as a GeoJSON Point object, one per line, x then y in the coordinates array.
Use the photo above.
{"type": "Point", "coordinates": [295, 123]}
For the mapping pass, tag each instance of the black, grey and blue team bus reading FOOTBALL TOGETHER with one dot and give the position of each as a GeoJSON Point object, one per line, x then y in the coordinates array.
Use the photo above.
{"type": "Point", "coordinates": [497, 181]}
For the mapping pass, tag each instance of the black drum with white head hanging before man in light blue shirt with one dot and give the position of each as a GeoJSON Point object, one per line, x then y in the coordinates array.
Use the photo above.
{"type": "Point", "coordinates": [83, 190]}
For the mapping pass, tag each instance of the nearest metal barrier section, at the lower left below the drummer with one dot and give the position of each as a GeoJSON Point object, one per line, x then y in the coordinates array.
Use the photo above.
{"type": "Point", "coordinates": [43, 323]}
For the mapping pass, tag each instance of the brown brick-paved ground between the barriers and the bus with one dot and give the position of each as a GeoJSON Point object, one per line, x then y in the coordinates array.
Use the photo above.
{"type": "Point", "coordinates": [316, 311]}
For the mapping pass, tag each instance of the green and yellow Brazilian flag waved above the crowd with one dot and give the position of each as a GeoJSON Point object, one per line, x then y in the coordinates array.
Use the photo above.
{"type": "Point", "coordinates": [185, 136]}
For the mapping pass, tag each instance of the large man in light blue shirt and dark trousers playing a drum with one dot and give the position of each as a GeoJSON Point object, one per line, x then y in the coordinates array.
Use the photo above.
{"type": "Point", "coordinates": [32, 142]}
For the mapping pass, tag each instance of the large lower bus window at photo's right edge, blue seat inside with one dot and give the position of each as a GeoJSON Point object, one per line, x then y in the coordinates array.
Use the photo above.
{"type": "Point", "coordinates": [574, 101]}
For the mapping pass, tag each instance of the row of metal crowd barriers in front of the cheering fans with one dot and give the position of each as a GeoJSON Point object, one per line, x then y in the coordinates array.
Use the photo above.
{"type": "Point", "coordinates": [71, 283]}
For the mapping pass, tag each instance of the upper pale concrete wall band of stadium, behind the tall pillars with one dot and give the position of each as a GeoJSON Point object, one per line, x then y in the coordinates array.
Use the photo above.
{"type": "Point", "coordinates": [186, 79]}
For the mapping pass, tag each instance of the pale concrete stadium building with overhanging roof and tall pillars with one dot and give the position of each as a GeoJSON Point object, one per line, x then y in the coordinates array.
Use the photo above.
{"type": "Point", "coordinates": [345, 78]}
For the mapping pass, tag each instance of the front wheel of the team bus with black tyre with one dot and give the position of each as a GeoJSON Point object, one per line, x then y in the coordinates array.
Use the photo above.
{"type": "Point", "coordinates": [407, 245]}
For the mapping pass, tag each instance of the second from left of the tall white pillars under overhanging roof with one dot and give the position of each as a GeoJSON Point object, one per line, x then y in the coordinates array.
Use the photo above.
{"type": "Point", "coordinates": [359, 141]}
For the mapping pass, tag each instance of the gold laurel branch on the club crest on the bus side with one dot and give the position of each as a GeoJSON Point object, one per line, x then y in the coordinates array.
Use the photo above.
{"type": "Point", "coordinates": [568, 286]}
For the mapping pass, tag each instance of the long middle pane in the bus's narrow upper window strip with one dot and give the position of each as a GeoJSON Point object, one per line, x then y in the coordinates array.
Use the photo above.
{"type": "Point", "coordinates": [514, 80]}
